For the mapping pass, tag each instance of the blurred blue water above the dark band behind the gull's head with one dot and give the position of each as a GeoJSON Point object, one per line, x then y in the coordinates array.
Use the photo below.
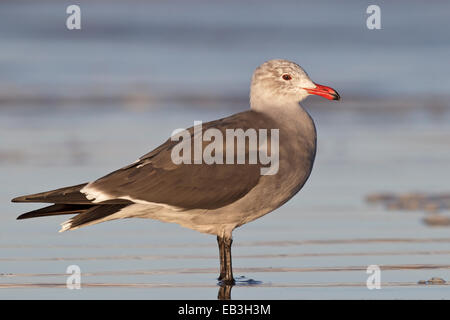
{"type": "Point", "coordinates": [155, 47]}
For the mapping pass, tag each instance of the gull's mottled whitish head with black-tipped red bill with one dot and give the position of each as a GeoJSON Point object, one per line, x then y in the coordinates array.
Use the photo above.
{"type": "Point", "coordinates": [282, 82]}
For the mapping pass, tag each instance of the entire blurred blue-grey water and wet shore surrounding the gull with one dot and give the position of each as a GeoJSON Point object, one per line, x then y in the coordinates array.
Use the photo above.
{"type": "Point", "coordinates": [76, 104]}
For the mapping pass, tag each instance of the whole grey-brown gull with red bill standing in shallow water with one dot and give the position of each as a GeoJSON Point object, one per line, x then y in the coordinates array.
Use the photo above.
{"type": "Point", "coordinates": [211, 198]}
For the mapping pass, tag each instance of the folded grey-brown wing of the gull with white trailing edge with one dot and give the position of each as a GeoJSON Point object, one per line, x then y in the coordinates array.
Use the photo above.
{"type": "Point", "coordinates": [155, 178]}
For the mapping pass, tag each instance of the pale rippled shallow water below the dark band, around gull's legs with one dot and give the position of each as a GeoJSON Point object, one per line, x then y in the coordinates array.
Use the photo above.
{"type": "Point", "coordinates": [316, 246]}
